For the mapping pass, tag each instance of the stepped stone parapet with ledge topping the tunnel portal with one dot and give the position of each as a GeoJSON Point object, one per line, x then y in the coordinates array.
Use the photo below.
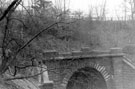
{"type": "Point", "coordinates": [84, 52]}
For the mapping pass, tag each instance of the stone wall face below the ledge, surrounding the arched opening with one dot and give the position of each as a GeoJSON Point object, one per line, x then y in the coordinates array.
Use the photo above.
{"type": "Point", "coordinates": [63, 70]}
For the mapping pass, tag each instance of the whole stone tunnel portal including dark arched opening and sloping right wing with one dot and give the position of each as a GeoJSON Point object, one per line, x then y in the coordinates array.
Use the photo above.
{"type": "Point", "coordinates": [86, 69]}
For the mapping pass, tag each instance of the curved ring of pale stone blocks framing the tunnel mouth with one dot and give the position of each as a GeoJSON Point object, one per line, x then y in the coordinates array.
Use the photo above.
{"type": "Point", "coordinates": [96, 66]}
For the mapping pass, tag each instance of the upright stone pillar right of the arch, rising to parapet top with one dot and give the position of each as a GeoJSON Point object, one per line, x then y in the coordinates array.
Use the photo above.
{"type": "Point", "coordinates": [117, 68]}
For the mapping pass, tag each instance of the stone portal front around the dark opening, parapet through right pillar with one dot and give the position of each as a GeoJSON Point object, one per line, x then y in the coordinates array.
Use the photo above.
{"type": "Point", "coordinates": [62, 66]}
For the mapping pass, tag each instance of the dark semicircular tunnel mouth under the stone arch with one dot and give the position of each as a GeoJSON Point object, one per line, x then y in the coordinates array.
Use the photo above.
{"type": "Point", "coordinates": [86, 78]}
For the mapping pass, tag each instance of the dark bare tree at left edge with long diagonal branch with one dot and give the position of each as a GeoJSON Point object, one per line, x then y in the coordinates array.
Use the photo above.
{"type": "Point", "coordinates": [9, 58]}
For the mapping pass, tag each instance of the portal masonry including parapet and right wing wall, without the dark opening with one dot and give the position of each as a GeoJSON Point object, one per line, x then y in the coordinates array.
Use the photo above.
{"type": "Point", "coordinates": [110, 63]}
